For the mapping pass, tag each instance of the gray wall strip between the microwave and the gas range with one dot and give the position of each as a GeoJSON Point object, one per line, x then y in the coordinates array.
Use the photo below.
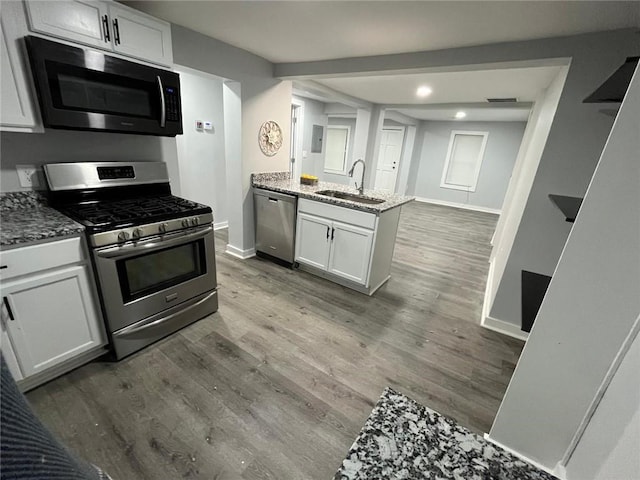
{"type": "Point", "coordinates": [55, 146]}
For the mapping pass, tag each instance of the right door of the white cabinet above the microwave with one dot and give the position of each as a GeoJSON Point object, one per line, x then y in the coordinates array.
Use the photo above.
{"type": "Point", "coordinates": [138, 35]}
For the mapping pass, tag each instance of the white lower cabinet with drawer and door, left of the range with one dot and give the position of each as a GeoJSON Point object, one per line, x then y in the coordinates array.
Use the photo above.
{"type": "Point", "coordinates": [50, 317]}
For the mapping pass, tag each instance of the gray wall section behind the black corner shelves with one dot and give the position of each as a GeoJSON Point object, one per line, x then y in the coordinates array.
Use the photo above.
{"type": "Point", "coordinates": [575, 141]}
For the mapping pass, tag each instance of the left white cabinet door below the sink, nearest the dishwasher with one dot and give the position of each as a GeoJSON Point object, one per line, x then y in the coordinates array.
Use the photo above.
{"type": "Point", "coordinates": [313, 241]}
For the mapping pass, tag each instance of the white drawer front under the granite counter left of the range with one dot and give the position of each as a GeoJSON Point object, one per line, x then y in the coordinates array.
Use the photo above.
{"type": "Point", "coordinates": [35, 258]}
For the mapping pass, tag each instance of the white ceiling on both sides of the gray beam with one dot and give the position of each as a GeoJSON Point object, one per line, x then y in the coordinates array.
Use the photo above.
{"type": "Point", "coordinates": [299, 31]}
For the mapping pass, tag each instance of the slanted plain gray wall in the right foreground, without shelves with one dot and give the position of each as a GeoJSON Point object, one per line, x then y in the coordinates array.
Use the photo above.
{"type": "Point", "coordinates": [589, 310]}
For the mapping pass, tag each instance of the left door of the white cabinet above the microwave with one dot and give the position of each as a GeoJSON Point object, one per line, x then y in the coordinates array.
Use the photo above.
{"type": "Point", "coordinates": [76, 20]}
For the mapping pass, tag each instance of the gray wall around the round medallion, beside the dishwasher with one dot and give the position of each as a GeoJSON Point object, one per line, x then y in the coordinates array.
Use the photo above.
{"type": "Point", "coordinates": [263, 98]}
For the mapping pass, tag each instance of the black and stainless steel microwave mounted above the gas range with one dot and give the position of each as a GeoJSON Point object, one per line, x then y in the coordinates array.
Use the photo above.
{"type": "Point", "coordinates": [85, 89]}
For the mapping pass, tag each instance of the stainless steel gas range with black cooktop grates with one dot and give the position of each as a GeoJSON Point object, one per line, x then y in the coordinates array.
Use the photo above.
{"type": "Point", "coordinates": [153, 253]}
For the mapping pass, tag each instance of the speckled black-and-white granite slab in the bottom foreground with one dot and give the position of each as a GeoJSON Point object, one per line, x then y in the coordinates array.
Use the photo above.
{"type": "Point", "coordinates": [402, 439]}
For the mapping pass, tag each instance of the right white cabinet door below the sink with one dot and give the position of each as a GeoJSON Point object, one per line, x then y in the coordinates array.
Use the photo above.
{"type": "Point", "coordinates": [350, 252]}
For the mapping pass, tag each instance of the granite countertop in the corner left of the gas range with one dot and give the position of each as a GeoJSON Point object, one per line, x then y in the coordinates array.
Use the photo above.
{"type": "Point", "coordinates": [27, 218]}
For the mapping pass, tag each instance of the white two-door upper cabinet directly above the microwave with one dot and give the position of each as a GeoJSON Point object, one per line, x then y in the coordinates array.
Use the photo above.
{"type": "Point", "coordinates": [105, 25]}
